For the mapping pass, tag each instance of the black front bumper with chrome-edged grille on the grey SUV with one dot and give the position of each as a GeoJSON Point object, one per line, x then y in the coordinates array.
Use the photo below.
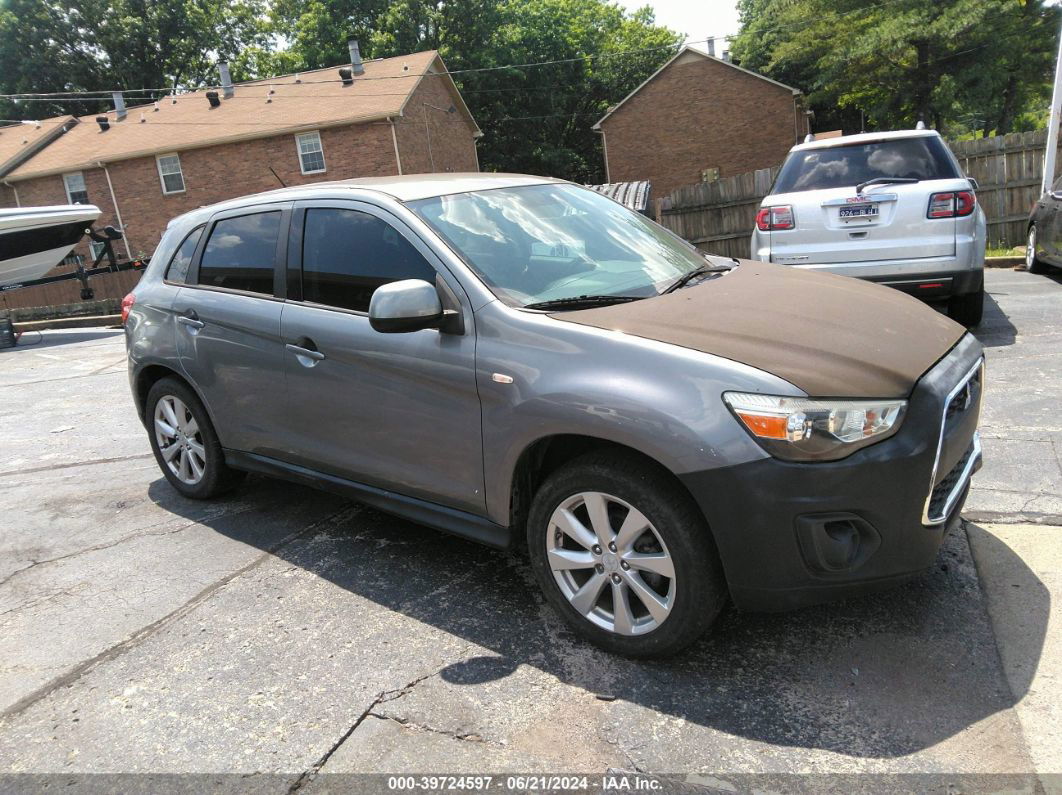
{"type": "Point", "coordinates": [792, 534]}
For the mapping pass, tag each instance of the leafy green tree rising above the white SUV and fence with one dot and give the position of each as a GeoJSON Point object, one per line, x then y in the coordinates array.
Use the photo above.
{"type": "Point", "coordinates": [958, 65]}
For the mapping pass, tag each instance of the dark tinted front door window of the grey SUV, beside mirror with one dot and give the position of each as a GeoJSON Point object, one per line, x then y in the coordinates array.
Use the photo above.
{"type": "Point", "coordinates": [347, 255]}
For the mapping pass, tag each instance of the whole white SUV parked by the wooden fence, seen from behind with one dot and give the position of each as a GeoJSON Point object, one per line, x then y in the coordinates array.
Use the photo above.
{"type": "Point", "coordinates": [888, 208]}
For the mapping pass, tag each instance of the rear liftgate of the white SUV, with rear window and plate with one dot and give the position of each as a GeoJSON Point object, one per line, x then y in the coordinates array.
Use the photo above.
{"type": "Point", "coordinates": [834, 223]}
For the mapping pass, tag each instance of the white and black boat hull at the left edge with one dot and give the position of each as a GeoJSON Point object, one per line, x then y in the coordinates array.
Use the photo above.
{"type": "Point", "coordinates": [33, 240]}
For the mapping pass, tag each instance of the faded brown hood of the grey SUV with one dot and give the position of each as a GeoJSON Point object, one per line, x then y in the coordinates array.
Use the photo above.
{"type": "Point", "coordinates": [830, 336]}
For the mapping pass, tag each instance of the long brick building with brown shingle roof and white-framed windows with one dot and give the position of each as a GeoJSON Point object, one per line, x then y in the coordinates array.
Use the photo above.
{"type": "Point", "coordinates": [399, 116]}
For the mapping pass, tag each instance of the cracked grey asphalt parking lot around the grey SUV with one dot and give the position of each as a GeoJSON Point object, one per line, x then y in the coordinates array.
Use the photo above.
{"type": "Point", "coordinates": [284, 631]}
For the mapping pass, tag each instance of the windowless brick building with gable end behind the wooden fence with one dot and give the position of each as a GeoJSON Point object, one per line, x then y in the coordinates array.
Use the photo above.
{"type": "Point", "coordinates": [700, 117]}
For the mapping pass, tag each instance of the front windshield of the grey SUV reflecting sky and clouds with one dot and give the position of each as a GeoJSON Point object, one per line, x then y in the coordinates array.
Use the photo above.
{"type": "Point", "coordinates": [551, 243]}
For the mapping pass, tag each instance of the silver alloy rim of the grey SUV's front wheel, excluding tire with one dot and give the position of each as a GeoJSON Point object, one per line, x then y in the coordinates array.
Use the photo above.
{"type": "Point", "coordinates": [611, 564]}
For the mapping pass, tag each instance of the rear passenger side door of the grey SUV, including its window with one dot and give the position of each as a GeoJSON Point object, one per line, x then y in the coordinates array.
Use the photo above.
{"type": "Point", "coordinates": [229, 325]}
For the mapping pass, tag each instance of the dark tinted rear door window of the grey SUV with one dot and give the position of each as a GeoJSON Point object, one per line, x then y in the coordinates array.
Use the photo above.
{"type": "Point", "coordinates": [241, 253]}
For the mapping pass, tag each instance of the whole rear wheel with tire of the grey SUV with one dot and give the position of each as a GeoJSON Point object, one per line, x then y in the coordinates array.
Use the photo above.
{"type": "Point", "coordinates": [185, 444]}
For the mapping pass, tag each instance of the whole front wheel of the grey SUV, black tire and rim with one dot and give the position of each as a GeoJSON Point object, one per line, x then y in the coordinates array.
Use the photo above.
{"type": "Point", "coordinates": [624, 555]}
